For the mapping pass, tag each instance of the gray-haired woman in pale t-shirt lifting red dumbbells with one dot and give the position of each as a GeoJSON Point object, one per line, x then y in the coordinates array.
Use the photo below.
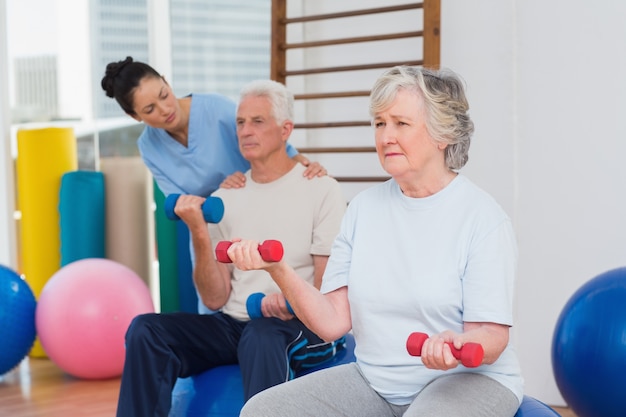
{"type": "Point", "coordinates": [427, 251]}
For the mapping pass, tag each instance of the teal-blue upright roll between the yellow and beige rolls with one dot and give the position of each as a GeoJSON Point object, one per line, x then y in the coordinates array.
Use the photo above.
{"type": "Point", "coordinates": [82, 216]}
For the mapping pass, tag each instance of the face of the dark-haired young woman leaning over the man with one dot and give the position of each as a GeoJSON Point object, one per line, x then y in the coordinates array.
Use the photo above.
{"type": "Point", "coordinates": [155, 104]}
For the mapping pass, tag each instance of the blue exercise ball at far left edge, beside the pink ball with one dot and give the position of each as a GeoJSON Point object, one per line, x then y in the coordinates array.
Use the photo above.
{"type": "Point", "coordinates": [17, 319]}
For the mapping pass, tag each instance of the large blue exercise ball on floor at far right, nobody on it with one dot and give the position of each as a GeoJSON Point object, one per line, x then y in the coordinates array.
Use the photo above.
{"type": "Point", "coordinates": [589, 347]}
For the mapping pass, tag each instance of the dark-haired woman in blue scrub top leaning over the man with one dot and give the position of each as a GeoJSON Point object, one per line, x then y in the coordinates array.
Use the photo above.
{"type": "Point", "coordinates": [189, 144]}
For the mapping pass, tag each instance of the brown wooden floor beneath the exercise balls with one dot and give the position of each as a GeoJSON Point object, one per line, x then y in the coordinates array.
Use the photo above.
{"type": "Point", "coordinates": [38, 388]}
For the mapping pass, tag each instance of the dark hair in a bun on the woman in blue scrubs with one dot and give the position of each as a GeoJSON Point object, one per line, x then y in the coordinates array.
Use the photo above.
{"type": "Point", "coordinates": [122, 77]}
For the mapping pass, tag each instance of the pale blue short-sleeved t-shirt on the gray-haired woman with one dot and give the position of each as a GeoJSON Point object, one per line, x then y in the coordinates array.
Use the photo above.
{"type": "Point", "coordinates": [423, 265]}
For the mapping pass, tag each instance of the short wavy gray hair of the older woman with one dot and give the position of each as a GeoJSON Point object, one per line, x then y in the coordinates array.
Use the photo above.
{"type": "Point", "coordinates": [443, 94]}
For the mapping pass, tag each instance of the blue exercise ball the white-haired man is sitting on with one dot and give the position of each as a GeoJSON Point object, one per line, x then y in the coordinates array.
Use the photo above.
{"type": "Point", "coordinates": [218, 392]}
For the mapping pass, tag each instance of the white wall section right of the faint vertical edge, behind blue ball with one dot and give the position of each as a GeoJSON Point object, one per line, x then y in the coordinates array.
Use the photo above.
{"type": "Point", "coordinates": [571, 86]}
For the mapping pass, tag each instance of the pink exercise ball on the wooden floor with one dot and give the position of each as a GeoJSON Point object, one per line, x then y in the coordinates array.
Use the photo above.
{"type": "Point", "coordinates": [83, 313]}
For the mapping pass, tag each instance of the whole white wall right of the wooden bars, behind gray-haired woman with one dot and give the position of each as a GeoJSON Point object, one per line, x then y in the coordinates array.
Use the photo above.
{"type": "Point", "coordinates": [546, 82]}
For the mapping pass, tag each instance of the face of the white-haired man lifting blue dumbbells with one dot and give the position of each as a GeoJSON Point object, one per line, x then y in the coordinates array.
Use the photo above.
{"type": "Point", "coordinates": [259, 134]}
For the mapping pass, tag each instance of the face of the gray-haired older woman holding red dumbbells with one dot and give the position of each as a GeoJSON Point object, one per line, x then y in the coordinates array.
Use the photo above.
{"type": "Point", "coordinates": [404, 146]}
